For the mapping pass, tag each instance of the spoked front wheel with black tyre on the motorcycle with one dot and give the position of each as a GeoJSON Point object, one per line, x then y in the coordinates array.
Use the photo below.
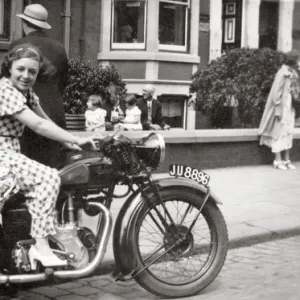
{"type": "Point", "coordinates": [185, 257]}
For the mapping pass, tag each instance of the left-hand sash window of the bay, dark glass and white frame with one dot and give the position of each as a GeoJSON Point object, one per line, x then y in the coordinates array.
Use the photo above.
{"type": "Point", "coordinates": [128, 30]}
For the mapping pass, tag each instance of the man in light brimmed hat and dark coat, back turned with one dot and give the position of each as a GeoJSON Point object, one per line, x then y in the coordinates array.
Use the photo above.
{"type": "Point", "coordinates": [34, 22]}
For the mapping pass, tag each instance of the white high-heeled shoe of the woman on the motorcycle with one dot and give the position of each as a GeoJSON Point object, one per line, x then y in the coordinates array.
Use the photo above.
{"type": "Point", "coordinates": [46, 261]}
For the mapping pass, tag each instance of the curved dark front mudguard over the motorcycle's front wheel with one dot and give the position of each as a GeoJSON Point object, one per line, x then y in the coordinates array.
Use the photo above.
{"type": "Point", "coordinates": [125, 219]}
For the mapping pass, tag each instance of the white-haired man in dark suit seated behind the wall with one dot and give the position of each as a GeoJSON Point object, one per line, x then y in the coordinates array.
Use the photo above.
{"type": "Point", "coordinates": [151, 117]}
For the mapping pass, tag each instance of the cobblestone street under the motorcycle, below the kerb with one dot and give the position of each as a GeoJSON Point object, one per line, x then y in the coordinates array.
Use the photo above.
{"type": "Point", "coordinates": [268, 271]}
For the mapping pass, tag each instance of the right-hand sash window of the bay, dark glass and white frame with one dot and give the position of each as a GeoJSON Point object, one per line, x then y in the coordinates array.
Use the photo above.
{"type": "Point", "coordinates": [173, 23]}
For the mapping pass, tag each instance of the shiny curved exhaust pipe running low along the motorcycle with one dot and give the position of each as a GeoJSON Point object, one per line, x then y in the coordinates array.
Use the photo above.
{"type": "Point", "coordinates": [25, 278]}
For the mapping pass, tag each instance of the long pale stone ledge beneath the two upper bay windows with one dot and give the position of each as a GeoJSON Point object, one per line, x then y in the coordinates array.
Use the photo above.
{"type": "Point", "coordinates": [148, 56]}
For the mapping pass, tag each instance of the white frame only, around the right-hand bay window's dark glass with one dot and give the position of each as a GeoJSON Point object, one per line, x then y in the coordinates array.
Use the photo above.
{"type": "Point", "coordinates": [177, 48]}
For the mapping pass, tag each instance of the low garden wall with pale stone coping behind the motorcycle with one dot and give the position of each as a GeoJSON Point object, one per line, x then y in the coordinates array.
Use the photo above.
{"type": "Point", "coordinates": [207, 149]}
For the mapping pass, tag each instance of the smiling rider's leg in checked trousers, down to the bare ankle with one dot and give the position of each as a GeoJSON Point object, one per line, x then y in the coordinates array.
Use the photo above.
{"type": "Point", "coordinates": [40, 185]}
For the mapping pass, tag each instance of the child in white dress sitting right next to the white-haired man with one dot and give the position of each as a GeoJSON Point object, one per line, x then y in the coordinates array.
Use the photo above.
{"type": "Point", "coordinates": [132, 120]}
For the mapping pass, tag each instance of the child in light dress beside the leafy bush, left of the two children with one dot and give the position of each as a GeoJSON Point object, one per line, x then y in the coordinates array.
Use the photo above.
{"type": "Point", "coordinates": [95, 114]}
